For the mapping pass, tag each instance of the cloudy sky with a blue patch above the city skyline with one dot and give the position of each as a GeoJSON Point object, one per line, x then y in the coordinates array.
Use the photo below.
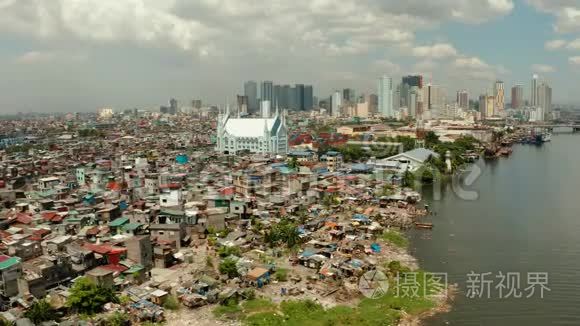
{"type": "Point", "coordinates": [78, 55]}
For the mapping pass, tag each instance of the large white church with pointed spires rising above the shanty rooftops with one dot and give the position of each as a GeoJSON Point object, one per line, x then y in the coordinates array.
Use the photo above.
{"type": "Point", "coordinates": [258, 135]}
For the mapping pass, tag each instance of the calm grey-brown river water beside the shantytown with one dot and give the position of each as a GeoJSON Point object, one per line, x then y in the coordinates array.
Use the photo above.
{"type": "Point", "coordinates": [526, 220]}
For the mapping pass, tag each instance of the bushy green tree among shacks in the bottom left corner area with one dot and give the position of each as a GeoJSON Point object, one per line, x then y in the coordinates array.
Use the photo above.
{"type": "Point", "coordinates": [86, 297]}
